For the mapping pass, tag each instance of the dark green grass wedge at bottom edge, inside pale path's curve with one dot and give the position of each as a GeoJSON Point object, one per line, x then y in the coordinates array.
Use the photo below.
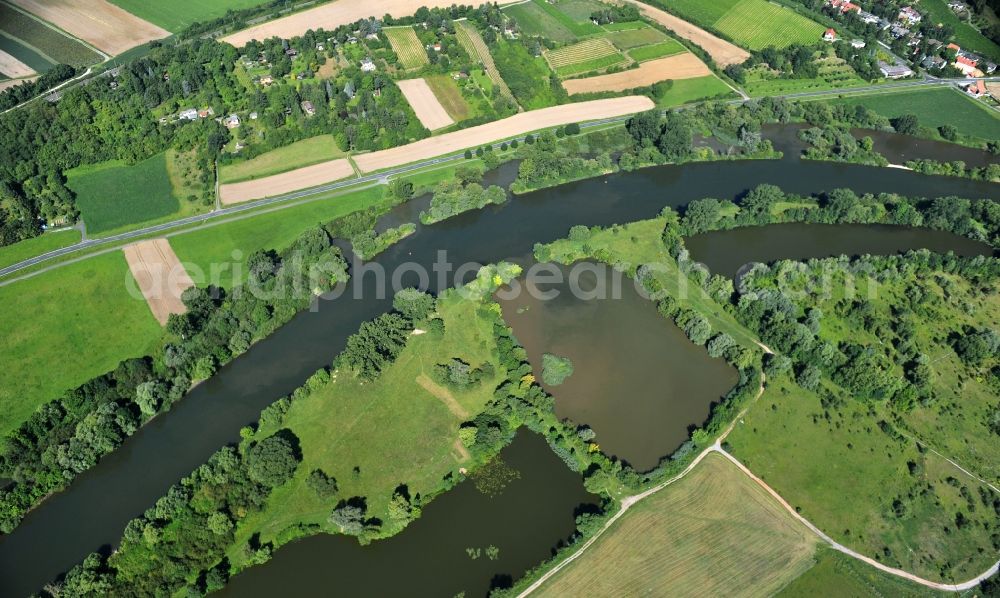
{"type": "Point", "coordinates": [836, 575]}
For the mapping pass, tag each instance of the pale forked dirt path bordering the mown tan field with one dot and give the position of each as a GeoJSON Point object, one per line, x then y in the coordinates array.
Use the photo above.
{"type": "Point", "coordinates": [629, 501]}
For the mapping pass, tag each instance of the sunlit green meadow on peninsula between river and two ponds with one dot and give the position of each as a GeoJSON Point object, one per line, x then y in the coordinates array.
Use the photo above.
{"type": "Point", "coordinates": [400, 429]}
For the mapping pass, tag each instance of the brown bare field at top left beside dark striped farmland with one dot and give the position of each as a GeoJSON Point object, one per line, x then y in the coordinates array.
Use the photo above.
{"type": "Point", "coordinates": [97, 22]}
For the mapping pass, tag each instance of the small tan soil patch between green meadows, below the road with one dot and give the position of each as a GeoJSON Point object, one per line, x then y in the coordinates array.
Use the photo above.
{"type": "Point", "coordinates": [160, 275]}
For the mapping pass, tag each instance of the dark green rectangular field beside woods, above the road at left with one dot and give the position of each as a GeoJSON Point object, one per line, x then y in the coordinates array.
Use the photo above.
{"type": "Point", "coordinates": [113, 195]}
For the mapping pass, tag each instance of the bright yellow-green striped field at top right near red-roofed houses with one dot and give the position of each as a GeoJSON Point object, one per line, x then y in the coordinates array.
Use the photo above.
{"type": "Point", "coordinates": [756, 24]}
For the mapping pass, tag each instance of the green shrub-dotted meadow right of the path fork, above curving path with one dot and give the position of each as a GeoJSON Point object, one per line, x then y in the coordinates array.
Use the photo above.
{"type": "Point", "coordinates": [844, 474]}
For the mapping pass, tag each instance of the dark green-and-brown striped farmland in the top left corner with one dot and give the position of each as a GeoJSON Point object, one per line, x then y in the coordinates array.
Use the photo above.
{"type": "Point", "coordinates": [39, 45]}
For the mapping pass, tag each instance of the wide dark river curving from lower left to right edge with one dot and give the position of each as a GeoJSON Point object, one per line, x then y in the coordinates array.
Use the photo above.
{"type": "Point", "coordinates": [92, 513]}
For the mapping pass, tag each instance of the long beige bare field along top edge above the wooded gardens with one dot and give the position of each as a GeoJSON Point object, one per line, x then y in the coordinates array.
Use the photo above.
{"type": "Point", "coordinates": [333, 15]}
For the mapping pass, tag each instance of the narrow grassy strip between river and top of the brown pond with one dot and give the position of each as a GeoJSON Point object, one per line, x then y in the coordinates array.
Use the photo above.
{"type": "Point", "coordinates": [639, 243]}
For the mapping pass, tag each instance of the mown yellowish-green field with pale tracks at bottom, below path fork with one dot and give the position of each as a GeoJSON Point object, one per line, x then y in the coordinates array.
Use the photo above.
{"type": "Point", "coordinates": [712, 533]}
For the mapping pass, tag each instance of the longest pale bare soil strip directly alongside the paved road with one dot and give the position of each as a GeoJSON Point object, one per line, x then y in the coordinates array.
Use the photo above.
{"type": "Point", "coordinates": [518, 124]}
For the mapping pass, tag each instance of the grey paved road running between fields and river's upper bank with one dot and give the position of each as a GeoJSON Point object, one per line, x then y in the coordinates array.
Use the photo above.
{"type": "Point", "coordinates": [222, 213]}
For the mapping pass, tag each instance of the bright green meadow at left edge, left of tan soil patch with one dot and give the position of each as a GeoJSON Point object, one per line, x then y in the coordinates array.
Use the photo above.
{"type": "Point", "coordinates": [60, 329]}
